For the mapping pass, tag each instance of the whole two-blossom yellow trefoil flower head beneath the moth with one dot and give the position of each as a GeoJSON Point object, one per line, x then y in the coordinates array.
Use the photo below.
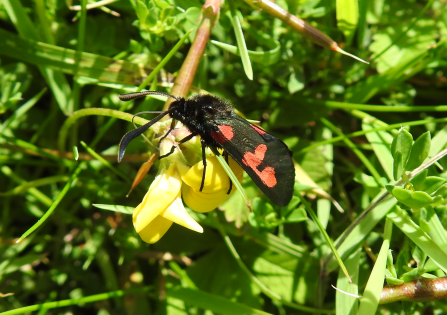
{"type": "Point", "coordinates": [162, 205]}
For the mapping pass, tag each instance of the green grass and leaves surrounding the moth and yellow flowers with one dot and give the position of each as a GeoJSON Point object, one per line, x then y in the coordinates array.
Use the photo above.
{"type": "Point", "coordinates": [55, 61]}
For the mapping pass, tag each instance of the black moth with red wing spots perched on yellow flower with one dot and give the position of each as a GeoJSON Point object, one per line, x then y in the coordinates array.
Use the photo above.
{"type": "Point", "coordinates": [264, 157]}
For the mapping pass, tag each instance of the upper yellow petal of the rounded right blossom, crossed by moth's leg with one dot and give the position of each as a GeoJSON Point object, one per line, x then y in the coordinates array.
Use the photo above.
{"type": "Point", "coordinates": [216, 179]}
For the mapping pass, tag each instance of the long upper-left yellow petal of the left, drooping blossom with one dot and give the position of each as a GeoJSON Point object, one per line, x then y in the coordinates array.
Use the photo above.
{"type": "Point", "coordinates": [162, 192]}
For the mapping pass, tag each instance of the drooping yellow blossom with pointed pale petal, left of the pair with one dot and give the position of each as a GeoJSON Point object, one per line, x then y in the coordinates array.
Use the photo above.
{"type": "Point", "coordinates": [162, 205]}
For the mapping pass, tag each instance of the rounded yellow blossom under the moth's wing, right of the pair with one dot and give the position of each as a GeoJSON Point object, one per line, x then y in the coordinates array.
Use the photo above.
{"type": "Point", "coordinates": [216, 186]}
